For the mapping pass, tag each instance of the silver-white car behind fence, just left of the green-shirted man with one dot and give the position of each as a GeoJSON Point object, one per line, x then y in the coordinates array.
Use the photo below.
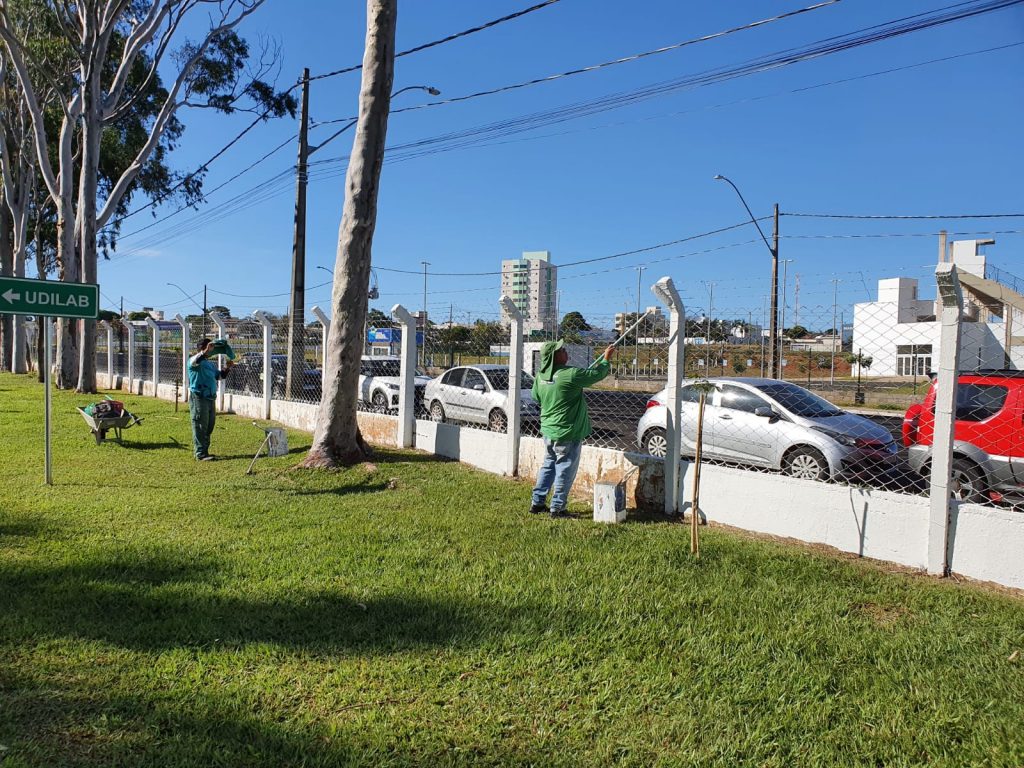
{"type": "Point", "coordinates": [479, 395]}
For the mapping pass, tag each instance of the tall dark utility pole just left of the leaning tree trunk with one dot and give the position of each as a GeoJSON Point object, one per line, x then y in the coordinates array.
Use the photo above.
{"type": "Point", "coordinates": [297, 326]}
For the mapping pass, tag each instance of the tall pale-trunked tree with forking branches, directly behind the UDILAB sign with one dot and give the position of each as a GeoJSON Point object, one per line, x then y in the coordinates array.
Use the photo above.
{"type": "Point", "coordinates": [111, 42]}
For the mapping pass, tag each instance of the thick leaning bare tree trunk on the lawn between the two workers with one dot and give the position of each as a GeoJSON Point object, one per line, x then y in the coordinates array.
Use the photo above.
{"type": "Point", "coordinates": [337, 441]}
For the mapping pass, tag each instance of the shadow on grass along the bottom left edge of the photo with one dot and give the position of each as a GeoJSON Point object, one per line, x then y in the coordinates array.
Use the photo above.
{"type": "Point", "coordinates": [207, 728]}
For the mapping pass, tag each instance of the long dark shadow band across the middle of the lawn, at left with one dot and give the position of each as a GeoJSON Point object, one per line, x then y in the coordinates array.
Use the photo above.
{"type": "Point", "coordinates": [159, 602]}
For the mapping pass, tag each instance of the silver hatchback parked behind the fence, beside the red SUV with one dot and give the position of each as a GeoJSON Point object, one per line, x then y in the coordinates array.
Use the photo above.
{"type": "Point", "coordinates": [775, 424]}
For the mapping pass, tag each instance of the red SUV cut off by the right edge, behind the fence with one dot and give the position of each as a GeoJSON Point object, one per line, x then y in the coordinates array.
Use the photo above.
{"type": "Point", "coordinates": [989, 445]}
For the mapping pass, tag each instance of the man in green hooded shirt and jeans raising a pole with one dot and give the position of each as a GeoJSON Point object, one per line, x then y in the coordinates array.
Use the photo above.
{"type": "Point", "coordinates": [565, 422]}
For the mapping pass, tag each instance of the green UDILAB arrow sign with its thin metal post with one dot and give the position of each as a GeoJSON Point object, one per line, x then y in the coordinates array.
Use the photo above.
{"type": "Point", "coordinates": [48, 300]}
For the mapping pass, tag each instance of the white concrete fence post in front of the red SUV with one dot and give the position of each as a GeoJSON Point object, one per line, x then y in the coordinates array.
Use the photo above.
{"type": "Point", "coordinates": [946, 405]}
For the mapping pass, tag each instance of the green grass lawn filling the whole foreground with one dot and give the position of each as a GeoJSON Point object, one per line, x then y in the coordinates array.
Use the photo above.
{"type": "Point", "coordinates": [157, 612]}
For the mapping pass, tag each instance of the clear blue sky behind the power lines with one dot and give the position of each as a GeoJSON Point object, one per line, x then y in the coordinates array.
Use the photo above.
{"type": "Point", "coordinates": [943, 139]}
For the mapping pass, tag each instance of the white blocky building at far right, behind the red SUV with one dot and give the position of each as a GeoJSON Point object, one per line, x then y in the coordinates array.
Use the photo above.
{"type": "Point", "coordinates": [901, 332]}
